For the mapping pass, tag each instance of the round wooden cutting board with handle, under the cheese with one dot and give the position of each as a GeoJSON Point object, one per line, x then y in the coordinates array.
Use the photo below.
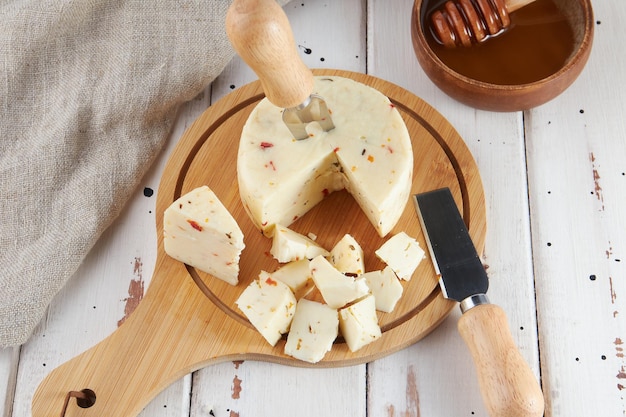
{"type": "Point", "coordinates": [188, 320]}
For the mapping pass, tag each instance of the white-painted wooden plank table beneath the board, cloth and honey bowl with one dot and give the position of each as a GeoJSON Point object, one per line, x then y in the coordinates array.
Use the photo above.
{"type": "Point", "coordinates": [555, 186]}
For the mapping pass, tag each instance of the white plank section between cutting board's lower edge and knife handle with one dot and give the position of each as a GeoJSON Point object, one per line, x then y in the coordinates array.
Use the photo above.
{"type": "Point", "coordinates": [429, 378]}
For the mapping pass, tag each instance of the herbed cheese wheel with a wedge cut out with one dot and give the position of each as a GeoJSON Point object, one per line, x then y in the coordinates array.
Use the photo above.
{"type": "Point", "coordinates": [368, 153]}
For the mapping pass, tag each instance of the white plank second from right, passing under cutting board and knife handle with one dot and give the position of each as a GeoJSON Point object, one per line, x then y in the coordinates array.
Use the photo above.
{"type": "Point", "coordinates": [436, 376]}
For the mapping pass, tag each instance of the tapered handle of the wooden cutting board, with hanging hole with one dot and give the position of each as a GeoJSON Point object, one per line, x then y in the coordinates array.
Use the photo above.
{"type": "Point", "coordinates": [175, 329]}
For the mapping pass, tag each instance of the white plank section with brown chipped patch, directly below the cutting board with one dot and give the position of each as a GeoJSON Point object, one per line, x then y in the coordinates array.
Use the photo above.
{"type": "Point", "coordinates": [263, 389]}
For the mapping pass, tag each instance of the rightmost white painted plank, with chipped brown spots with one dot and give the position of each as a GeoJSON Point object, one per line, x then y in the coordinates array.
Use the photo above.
{"type": "Point", "coordinates": [576, 153]}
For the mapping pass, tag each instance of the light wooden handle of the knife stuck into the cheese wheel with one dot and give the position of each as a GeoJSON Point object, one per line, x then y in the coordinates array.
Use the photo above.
{"type": "Point", "coordinates": [261, 34]}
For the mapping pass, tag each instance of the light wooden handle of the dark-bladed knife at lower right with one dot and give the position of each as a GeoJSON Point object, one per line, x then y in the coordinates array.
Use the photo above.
{"type": "Point", "coordinates": [507, 384]}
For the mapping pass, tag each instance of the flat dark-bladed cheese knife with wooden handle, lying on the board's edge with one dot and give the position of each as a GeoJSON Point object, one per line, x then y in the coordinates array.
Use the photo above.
{"type": "Point", "coordinates": [507, 384]}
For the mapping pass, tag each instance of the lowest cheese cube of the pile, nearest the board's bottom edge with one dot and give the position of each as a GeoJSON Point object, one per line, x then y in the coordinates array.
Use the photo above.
{"type": "Point", "coordinates": [314, 329]}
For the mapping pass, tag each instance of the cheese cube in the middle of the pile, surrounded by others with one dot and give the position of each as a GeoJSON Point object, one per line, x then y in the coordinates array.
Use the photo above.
{"type": "Point", "coordinates": [336, 288]}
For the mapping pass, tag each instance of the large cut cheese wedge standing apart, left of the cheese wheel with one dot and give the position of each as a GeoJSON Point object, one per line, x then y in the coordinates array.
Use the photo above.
{"type": "Point", "coordinates": [199, 231]}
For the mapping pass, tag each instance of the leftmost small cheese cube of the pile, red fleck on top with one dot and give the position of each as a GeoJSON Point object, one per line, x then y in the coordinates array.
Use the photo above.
{"type": "Point", "coordinates": [270, 306]}
